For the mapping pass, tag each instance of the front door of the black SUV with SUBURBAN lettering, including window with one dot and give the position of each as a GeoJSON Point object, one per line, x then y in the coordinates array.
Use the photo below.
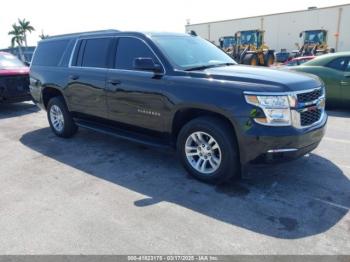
{"type": "Point", "coordinates": [136, 97]}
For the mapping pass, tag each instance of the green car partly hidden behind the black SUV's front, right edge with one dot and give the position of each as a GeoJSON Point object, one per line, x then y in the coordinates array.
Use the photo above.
{"type": "Point", "coordinates": [334, 70]}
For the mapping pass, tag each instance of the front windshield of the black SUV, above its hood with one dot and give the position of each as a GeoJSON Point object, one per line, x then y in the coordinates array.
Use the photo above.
{"type": "Point", "coordinates": [186, 52]}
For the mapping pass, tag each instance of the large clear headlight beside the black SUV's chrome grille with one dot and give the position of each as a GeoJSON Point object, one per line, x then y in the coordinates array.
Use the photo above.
{"type": "Point", "coordinates": [275, 108]}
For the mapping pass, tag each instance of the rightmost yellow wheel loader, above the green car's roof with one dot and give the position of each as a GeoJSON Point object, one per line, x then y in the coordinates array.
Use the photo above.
{"type": "Point", "coordinates": [314, 43]}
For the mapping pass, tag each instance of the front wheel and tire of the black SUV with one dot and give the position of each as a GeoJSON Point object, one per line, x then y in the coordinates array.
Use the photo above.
{"type": "Point", "coordinates": [208, 150]}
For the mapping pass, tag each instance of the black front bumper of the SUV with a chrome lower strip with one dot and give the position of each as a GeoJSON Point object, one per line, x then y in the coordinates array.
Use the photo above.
{"type": "Point", "coordinates": [264, 144]}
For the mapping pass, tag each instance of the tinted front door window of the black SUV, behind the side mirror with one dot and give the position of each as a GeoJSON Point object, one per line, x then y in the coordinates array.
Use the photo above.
{"type": "Point", "coordinates": [130, 48]}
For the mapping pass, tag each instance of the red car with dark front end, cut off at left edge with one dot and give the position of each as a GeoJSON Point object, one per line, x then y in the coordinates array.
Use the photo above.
{"type": "Point", "coordinates": [14, 79]}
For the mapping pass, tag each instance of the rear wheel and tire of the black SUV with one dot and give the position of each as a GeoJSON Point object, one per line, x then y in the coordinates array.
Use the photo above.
{"type": "Point", "coordinates": [60, 119]}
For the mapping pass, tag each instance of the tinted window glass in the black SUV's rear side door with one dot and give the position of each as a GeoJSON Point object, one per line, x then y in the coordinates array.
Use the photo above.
{"type": "Point", "coordinates": [96, 52]}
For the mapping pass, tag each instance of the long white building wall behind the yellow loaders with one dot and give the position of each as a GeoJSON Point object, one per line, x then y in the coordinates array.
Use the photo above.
{"type": "Point", "coordinates": [282, 30]}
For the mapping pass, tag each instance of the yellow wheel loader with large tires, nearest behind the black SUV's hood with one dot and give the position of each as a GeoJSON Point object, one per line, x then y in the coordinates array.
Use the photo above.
{"type": "Point", "coordinates": [250, 49]}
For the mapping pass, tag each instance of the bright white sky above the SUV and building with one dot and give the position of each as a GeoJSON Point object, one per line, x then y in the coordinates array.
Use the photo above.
{"type": "Point", "coordinates": [68, 16]}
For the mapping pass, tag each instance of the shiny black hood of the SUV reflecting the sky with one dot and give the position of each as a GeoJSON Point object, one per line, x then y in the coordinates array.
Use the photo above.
{"type": "Point", "coordinates": [261, 79]}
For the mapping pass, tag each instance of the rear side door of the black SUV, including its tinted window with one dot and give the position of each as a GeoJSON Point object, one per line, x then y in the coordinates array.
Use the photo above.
{"type": "Point", "coordinates": [87, 77]}
